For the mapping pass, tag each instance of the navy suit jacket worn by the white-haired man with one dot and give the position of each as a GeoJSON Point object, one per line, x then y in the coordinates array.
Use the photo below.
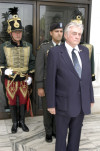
{"type": "Point", "coordinates": [65, 90]}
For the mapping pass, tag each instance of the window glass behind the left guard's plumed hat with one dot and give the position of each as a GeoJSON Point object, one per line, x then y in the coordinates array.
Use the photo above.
{"type": "Point", "coordinates": [25, 13]}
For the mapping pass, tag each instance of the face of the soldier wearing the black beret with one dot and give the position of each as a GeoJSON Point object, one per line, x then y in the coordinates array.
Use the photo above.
{"type": "Point", "coordinates": [56, 35]}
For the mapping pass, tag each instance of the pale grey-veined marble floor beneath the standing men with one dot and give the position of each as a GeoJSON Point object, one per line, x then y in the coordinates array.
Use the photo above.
{"type": "Point", "coordinates": [34, 140]}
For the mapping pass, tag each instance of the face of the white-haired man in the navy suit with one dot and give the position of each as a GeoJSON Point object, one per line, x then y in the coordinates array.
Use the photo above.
{"type": "Point", "coordinates": [73, 36]}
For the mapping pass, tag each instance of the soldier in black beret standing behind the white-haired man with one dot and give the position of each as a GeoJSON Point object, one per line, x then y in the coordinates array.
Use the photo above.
{"type": "Point", "coordinates": [56, 32]}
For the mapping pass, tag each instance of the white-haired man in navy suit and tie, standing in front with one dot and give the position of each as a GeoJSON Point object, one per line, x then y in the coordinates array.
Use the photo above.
{"type": "Point", "coordinates": [69, 91]}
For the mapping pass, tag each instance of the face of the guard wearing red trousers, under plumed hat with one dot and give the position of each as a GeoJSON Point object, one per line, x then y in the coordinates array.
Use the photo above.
{"type": "Point", "coordinates": [16, 35]}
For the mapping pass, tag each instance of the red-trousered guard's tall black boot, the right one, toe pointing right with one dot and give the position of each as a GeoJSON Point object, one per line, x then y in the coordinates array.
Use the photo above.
{"type": "Point", "coordinates": [22, 119]}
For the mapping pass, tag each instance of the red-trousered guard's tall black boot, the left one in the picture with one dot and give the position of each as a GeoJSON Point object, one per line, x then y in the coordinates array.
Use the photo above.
{"type": "Point", "coordinates": [13, 109]}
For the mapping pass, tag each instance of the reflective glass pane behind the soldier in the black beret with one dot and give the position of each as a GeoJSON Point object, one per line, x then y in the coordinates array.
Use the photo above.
{"type": "Point", "coordinates": [50, 14]}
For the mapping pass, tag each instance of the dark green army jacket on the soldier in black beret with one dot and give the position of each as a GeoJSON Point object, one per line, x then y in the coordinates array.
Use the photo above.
{"type": "Point", "coordinates": [41, 63]}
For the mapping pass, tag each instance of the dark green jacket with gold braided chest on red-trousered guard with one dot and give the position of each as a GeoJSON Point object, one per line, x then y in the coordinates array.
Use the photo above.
{"type": "Point", "coordinates": [10, 49]}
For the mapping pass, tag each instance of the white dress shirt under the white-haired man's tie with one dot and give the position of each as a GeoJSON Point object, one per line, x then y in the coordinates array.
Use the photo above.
{"type": "Point", "coordinates": [69, 50]}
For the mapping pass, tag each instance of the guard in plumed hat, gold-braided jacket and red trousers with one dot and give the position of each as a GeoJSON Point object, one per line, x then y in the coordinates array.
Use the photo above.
{"type": "Point", "coordinates": [17, 66]}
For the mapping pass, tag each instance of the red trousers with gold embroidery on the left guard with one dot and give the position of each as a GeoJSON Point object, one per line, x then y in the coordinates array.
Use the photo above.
{"type": "Point", "coordinates": [14, 89]}
